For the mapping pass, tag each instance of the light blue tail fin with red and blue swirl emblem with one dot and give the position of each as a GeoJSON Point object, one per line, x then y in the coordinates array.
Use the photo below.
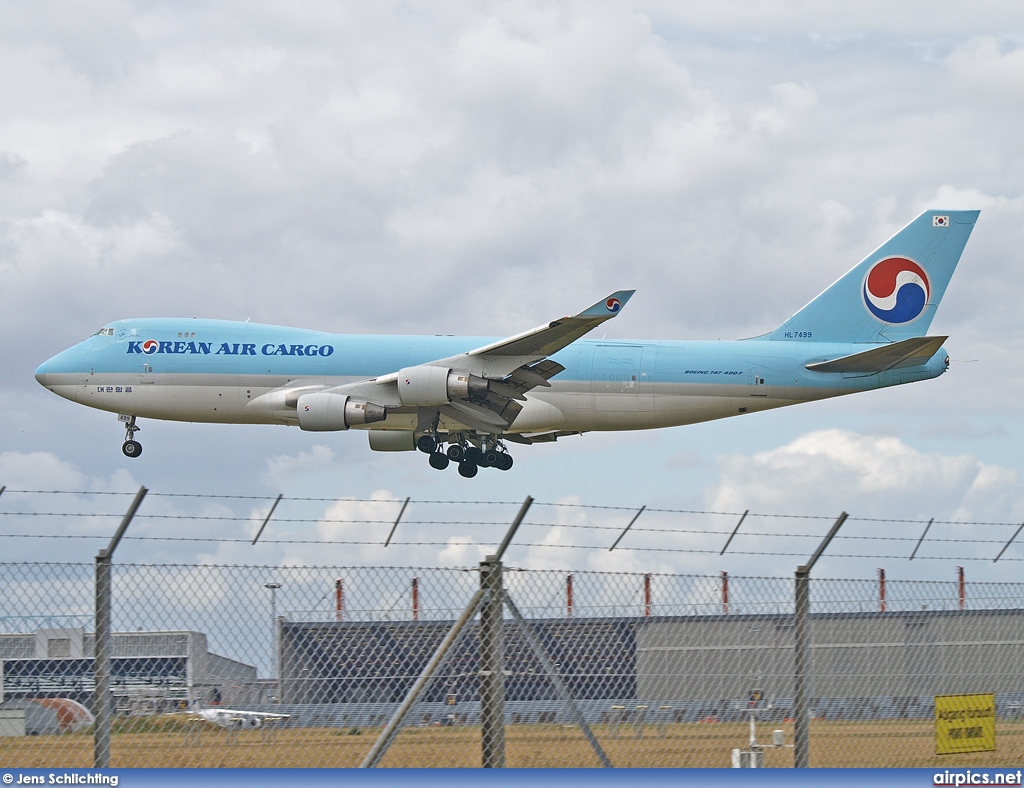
{"type": "Point", "coordinates": [893, 293]}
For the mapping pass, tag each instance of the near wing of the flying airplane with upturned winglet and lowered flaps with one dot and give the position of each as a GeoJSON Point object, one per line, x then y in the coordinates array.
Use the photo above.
{"type": "Point", "coordinates": [511, 368]}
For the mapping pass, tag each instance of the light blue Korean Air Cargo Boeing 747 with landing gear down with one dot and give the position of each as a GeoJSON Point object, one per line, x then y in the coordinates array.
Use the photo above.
{"type": "Point", "coordinates": [464, 400]}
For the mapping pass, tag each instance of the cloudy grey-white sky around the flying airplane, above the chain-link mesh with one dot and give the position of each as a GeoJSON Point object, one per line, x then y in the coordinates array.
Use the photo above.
{"type": "Point", "coordinates": [481, 168]}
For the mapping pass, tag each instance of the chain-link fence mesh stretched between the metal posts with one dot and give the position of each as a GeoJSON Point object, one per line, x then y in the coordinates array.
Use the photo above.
{"type": "Point", "coordinates": [311, 667]}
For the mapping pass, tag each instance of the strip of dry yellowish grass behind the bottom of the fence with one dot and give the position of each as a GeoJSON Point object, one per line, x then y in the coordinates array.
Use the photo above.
{"type": "Point", "coordinates": [154, 745]}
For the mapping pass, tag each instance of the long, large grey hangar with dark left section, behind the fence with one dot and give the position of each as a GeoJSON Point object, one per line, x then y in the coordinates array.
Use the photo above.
{"type": "Point", "coordinates": [673, 669]}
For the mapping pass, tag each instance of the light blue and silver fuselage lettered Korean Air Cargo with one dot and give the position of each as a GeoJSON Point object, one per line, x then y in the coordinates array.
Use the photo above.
{"type": "Point", "coordinates": [223, 372]}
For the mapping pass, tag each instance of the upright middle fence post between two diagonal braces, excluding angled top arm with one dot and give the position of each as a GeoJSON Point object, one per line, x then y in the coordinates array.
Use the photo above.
{"type": "Point", "coordinates": [492, 665]}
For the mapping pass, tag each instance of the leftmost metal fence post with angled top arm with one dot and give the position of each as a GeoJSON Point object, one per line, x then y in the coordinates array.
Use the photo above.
{"type": "Point", "coordinates": [102, 659]}
